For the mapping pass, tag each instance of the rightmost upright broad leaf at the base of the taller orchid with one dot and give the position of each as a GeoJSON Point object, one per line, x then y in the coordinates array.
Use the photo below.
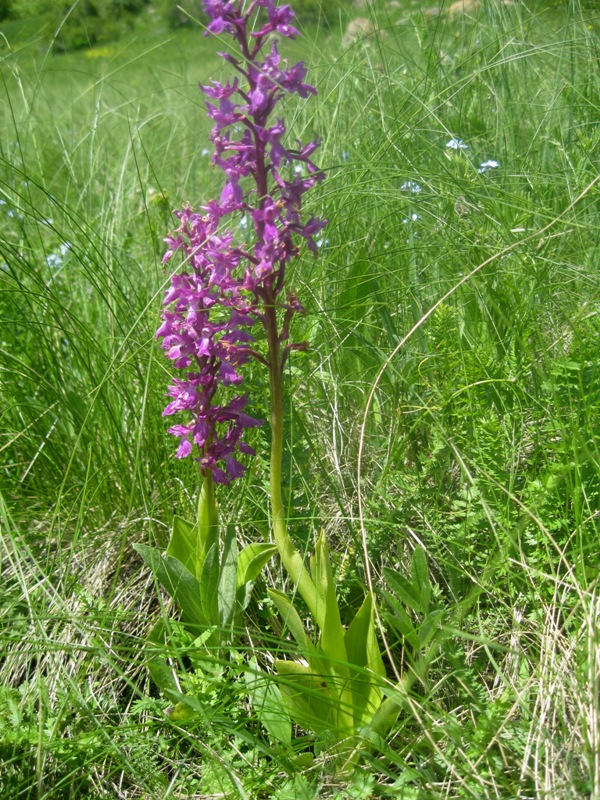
{"type": "Point", "coordinates": [366, 665]}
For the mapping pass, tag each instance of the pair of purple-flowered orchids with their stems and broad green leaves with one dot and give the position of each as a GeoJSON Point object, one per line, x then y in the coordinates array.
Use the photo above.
{"type": "Point", "coordinates": [230, 284]}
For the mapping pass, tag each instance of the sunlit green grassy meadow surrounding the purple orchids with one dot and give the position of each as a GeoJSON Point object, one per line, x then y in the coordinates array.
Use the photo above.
{"type": "Point", "coordinates": [448, 404]}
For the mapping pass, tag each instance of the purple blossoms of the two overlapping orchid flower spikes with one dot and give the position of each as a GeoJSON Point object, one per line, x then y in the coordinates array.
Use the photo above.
{"type": "Point", "coordinates": [227, 286]}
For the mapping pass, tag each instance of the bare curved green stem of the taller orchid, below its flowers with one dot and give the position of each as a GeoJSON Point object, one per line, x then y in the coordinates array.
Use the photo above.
{"type": "Point", "coordinates": [292, 559]}
